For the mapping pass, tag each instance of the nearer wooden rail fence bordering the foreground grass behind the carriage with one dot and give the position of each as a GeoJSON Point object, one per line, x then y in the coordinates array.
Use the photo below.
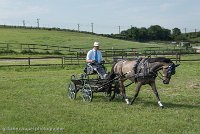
{"type": "Point", "coordinates": [71, 60]}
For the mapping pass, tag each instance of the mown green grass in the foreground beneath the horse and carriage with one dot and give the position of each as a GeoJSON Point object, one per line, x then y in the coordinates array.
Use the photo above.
{"type": "Point", "coordinates": [37, 98]}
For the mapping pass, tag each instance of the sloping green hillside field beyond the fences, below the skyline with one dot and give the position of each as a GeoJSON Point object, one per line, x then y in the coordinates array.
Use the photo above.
{"type": "Point", "coordinates": [63, 38]}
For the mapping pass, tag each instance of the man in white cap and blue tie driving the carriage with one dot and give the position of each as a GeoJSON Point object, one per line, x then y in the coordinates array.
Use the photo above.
{"type": "Point", "coordinates": [95, 61]}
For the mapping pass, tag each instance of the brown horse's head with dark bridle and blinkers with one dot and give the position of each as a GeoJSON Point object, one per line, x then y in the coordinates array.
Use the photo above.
{"type": "Point", "coordinates": [168, 71]}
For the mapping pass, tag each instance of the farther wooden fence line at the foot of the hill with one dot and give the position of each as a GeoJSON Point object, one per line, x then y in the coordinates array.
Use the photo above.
{"type": "Point", "coordinates": [42, 48]}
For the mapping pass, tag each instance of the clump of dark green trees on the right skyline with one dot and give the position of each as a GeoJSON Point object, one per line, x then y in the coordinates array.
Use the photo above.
{"type": "Point", "coordinates": [155, 32]}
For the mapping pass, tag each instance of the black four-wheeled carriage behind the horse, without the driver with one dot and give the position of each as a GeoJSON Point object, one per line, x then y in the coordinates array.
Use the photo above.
{"type": "Point", "coordinates": [87, 85]}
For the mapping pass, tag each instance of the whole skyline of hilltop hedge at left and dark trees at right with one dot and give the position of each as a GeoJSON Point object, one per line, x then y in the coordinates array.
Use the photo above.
{"type": "Point", "coordinates": [154, 32]}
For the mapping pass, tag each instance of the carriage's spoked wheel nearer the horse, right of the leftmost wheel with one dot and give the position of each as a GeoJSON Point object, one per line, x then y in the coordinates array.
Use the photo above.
{"type": "Point", "coordinates": [87, 93]}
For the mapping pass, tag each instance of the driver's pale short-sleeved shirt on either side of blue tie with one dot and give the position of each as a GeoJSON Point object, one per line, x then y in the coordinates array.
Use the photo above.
{"type": "Point", "coordinates": [91, 55]}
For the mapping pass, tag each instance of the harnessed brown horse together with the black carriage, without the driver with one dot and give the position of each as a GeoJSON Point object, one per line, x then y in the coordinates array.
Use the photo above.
{"type": "Point", "coordinates": [141, 71]}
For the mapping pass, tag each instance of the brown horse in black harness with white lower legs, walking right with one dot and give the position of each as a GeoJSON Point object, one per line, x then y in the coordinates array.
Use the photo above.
{"type": "Point", "coordinates": [142, 71]}
